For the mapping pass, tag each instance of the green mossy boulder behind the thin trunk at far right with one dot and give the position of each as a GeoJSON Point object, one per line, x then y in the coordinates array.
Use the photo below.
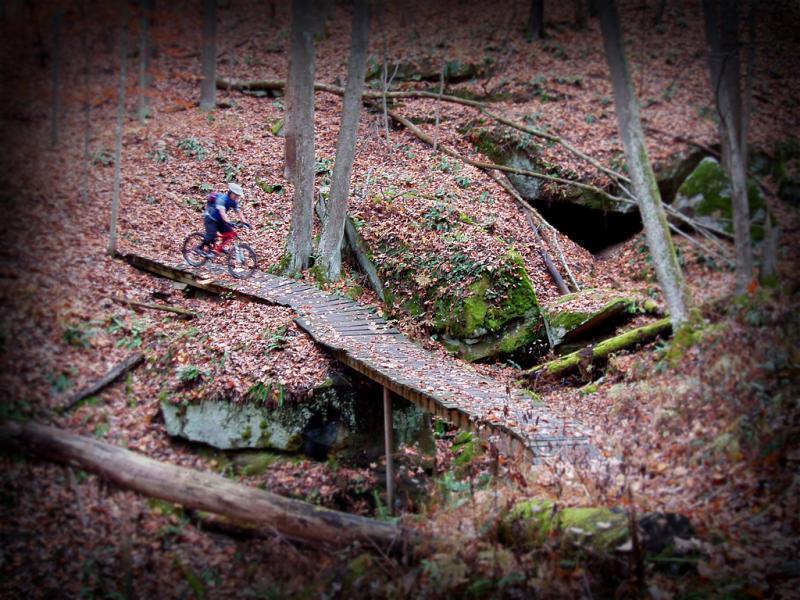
{"type": "Point", "coordinates": [705, 195]}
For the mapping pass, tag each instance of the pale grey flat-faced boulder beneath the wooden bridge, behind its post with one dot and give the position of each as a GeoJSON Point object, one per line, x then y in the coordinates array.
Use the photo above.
{"type": "Point", "coordinates": [338, 420]}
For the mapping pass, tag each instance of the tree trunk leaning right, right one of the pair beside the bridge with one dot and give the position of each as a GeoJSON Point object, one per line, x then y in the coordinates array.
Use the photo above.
{"type": "Point", "coordinates": [330, 245]}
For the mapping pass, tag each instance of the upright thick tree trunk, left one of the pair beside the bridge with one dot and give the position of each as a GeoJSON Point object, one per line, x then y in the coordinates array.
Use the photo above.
{"type": "Point", "coordinates": [301, 80]}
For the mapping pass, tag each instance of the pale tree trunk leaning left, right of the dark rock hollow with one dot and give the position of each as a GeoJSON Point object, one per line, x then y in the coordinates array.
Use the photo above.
{"type": "Point", "coordinates": [643, 179]}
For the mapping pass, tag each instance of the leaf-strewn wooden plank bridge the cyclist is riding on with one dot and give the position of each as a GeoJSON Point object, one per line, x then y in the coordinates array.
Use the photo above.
{"type": "Point", "coordinates": [367, 343]}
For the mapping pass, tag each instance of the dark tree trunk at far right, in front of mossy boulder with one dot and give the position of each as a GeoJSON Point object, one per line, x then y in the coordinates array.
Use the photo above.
{"type": "Point", "coordinates": [722, 22]}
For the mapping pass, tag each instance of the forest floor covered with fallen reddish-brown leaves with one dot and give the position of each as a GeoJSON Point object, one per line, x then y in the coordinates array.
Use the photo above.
{"type": "Point", "coordinates": [705, 427]}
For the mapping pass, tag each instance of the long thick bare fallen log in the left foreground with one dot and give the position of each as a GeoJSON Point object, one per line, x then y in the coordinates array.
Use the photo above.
{"type": "Point", "coordinates": [209, 492]}
